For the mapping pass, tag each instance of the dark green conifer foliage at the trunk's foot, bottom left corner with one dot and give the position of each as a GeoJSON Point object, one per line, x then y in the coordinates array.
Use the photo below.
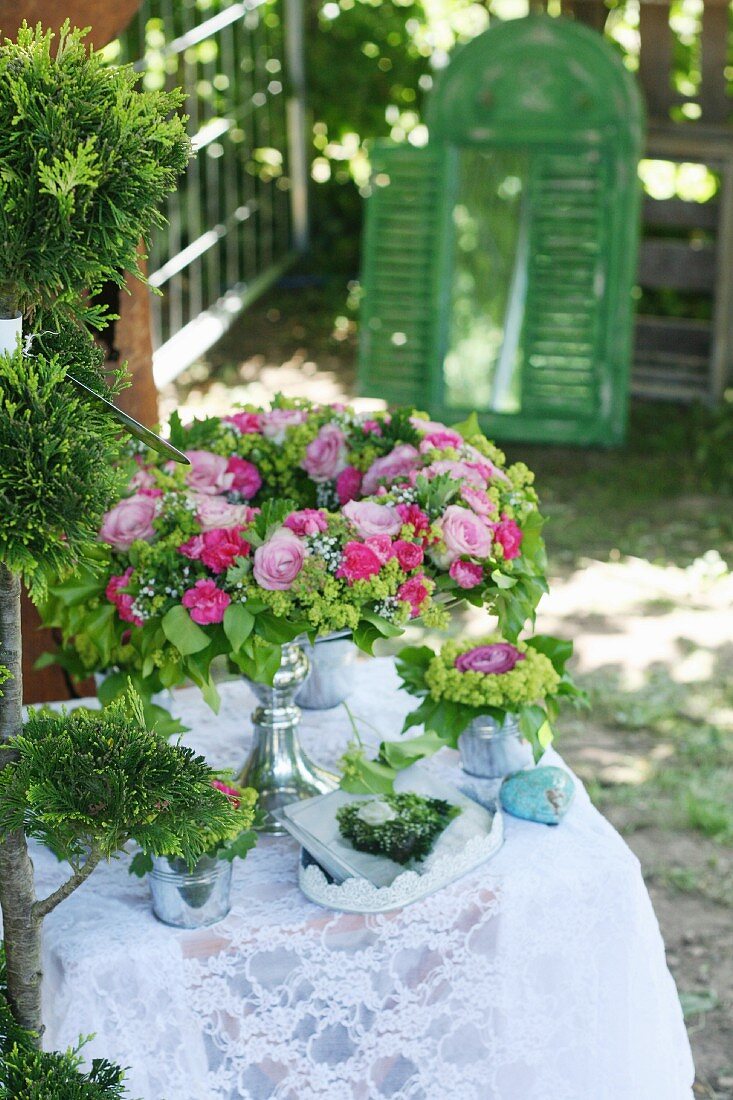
{"type": "Point", "coordinates": [29, 1074]}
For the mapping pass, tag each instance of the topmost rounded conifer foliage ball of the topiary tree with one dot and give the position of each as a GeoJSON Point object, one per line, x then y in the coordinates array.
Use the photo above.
{"type": "Point", "coordinates": [86, 163]}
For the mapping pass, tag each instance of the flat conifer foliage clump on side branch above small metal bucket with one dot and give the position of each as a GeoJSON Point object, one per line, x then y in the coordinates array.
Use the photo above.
{"type": "Point", "coordinates": [93, 780]}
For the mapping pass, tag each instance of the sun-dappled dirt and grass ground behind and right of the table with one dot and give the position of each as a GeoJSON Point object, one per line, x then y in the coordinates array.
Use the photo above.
{"type": "Point", "coordinates": [640, 545]}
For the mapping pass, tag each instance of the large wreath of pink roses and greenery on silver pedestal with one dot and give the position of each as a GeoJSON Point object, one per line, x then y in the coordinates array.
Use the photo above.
{"type": "Point", "coordinates": [302, 520]}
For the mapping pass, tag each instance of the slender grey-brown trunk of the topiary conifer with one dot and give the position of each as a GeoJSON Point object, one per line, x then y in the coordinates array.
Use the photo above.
{"type": "Point", "coordinates": [21, 926]}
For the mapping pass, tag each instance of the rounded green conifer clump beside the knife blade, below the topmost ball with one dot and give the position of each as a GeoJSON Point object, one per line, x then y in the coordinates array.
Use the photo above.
{"type": "Point", "coordinates": [59, 472]}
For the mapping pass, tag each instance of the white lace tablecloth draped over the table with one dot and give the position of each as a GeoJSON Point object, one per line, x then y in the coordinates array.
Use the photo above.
{"type": "Point", "coordinates": [541, 976]}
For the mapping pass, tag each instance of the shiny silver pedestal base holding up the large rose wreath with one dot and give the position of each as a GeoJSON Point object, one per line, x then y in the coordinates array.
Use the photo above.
{"type": "Point", "coordinates": [278, 768]}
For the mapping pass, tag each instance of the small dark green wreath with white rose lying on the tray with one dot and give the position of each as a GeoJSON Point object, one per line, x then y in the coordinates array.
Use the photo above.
{"type": "Point", "coordinates": [402, 827]}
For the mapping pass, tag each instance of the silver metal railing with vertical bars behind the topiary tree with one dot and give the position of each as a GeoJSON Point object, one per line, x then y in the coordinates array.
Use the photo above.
{"type": "Point", "coordinates": [240, 216]}
